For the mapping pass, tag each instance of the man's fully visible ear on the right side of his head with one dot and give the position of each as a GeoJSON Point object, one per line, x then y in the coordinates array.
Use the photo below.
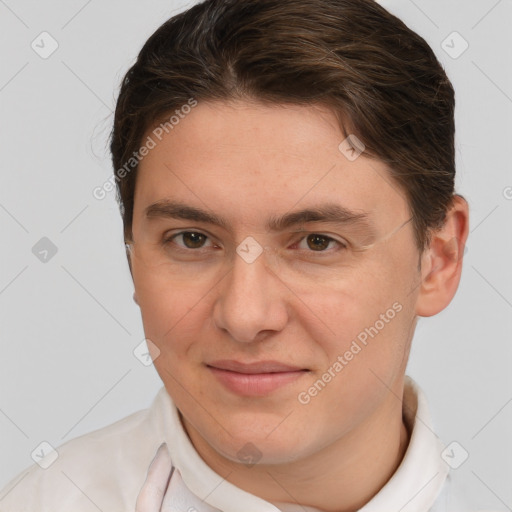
{"type": "Point", "coordinates": [441, 263]}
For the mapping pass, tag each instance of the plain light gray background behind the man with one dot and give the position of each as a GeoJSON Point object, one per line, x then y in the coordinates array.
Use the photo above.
{"type": "Point", "coordinates": [68, 326]}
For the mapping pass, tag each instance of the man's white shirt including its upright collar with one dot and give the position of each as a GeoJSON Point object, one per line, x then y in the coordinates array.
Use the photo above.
{"type": "Point", "coordinates": [146, 463]}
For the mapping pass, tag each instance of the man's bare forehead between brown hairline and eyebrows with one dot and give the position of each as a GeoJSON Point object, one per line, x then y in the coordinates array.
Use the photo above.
{"type": "Point", "coordinates": [245, 160]}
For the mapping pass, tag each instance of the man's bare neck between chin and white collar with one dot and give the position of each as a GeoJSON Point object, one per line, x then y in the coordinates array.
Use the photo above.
{"type": "Point", "coordinates": [342, 477]}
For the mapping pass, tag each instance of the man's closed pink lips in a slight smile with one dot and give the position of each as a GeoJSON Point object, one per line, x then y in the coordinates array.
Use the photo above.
{"type": "Point", "coordinates": [254, 379]}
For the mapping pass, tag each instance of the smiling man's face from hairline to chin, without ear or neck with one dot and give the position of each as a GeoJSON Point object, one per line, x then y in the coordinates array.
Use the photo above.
{"type": "Point", "coordinates": [333, 299]}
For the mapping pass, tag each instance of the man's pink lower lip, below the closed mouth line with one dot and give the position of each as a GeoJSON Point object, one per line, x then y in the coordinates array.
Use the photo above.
{"type": "Point", "coordinates": [255, 384]}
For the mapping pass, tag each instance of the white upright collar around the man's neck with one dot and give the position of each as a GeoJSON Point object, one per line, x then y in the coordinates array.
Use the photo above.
{"type": "Point", "coordinates": [414, 486]}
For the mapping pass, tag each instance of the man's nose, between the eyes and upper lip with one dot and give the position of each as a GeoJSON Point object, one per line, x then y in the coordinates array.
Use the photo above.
{"type": "Point", "coordinates": [252, 301]}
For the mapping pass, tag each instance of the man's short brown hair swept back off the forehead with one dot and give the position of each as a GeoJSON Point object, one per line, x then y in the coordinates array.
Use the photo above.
{"type": "Point", "coordinates": [381, 79]}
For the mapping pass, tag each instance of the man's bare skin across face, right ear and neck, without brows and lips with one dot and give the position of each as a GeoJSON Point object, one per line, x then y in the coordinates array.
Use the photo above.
{"type": "Point", "coordinates": [247, 162]}
